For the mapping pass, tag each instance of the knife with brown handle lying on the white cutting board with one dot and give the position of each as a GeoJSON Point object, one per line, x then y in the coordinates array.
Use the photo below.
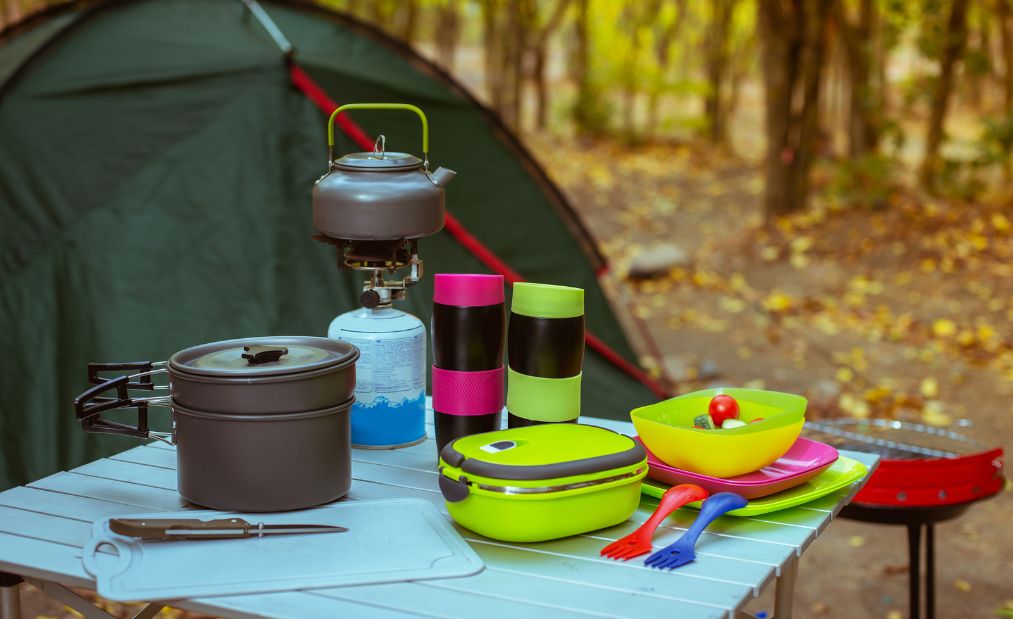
{"type": "Point", "coordinates": [187, 529]}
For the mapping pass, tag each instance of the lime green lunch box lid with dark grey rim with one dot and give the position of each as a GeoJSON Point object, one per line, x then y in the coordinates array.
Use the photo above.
{"type": "Point", "coordinates": [550, 451]}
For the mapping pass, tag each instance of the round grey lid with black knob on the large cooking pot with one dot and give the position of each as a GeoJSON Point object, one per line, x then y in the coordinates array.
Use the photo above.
{"type": "Point", "coordinates": [271, 356]}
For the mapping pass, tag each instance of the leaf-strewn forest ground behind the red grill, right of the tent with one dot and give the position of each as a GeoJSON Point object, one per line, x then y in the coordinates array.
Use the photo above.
{"type": "Point", "coordinates": [892, 314]}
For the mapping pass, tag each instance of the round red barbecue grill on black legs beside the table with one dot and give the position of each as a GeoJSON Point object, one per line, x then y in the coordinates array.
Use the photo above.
{"type": "Point", "coordinates": [927, 476]}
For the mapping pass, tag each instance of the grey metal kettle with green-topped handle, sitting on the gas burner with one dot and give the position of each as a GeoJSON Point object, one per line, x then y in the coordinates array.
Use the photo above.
{"type": "Point", "coordinates": [379, 196]}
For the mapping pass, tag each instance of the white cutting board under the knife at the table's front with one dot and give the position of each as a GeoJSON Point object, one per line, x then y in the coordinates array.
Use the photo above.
{"type": "Point", "coordinates": [394, 540]}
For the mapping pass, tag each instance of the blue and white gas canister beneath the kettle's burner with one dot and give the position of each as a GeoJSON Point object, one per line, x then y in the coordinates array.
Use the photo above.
{"type": "Point", "coordinates": [391, 376]}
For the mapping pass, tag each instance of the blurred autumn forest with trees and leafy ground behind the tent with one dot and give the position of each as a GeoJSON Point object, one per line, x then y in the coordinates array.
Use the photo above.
{"type": "Point", "coordinates": [812, 196]}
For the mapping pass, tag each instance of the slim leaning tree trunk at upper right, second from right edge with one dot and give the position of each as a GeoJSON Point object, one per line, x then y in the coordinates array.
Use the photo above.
{"type": "Point", "coordinates": [957, 38]}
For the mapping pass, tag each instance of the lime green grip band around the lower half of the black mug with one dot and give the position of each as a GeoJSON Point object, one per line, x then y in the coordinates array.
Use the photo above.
{"type": "Point", "coordinates": [543, 400]}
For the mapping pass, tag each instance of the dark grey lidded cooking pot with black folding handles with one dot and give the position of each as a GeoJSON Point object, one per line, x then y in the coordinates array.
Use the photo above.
{"type": "Point", "coordinates": [260, 425]}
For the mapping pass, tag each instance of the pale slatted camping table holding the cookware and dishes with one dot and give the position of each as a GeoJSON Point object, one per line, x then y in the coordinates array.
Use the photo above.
{"type": "Point", "coordinates": [45, 525]}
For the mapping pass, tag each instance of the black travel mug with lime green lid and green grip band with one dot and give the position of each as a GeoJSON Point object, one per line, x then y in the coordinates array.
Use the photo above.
{"type": "Point", "coordinates": [546, 350]}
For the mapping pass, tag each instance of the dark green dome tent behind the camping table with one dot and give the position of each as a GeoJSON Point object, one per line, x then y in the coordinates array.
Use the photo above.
{"type": "Point", "coordinates": [157, 164]}
